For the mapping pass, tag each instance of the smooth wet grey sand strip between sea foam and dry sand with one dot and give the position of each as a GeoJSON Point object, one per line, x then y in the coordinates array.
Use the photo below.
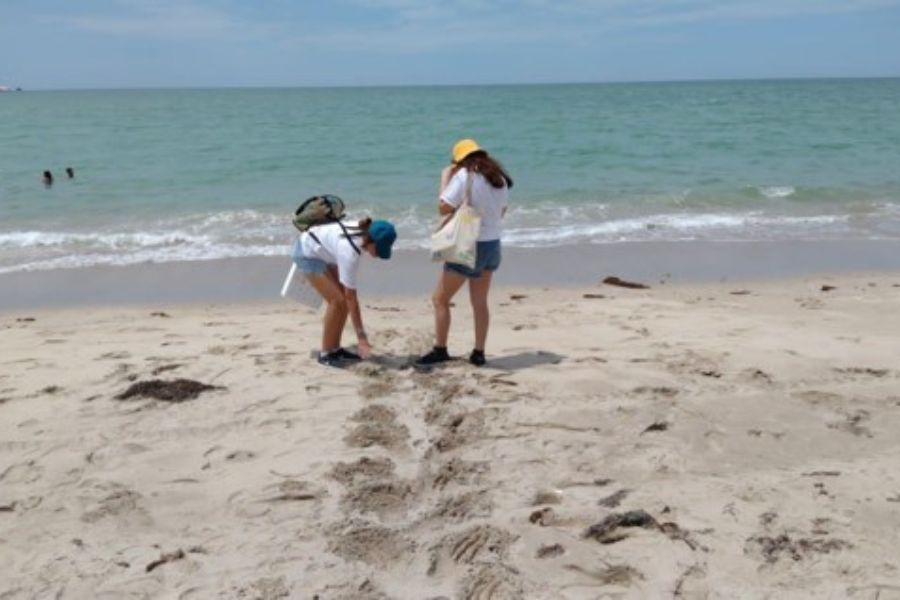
{"type": "Point", "coordinates": [410, 273]}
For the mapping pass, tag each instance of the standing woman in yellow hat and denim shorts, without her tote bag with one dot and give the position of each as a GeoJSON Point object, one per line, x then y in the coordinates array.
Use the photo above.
{"type": "Point", "coordinates": [489, 190]}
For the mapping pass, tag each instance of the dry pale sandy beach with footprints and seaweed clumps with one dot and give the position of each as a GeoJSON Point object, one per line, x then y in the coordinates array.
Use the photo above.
{"type": "Point", "coordinates": [717, 440]}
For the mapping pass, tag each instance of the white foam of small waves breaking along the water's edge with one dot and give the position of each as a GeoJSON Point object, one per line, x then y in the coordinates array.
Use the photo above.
{"type": "Point", "coordinates": [251, 233]}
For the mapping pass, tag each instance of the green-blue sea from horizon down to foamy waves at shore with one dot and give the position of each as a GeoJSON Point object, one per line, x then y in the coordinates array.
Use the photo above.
{"type": "Point", "coordinates": [173, 175]}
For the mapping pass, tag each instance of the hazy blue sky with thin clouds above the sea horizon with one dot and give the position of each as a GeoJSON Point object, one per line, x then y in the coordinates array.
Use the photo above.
{"type": "Point", "coordinates": [58, 44]}
